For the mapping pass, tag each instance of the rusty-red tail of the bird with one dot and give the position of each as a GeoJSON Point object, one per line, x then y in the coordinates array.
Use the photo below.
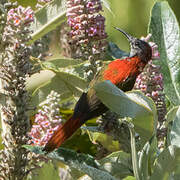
{"type": "Point", "coordinates": [63, 133]}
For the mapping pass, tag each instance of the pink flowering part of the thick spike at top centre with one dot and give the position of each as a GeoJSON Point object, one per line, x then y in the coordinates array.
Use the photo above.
{"type": "Point", "coordinates": [87, 27]}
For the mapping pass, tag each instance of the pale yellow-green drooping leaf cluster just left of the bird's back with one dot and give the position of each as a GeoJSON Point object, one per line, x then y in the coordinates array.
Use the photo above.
{"type": "Point", "coordinates": [65, 76]}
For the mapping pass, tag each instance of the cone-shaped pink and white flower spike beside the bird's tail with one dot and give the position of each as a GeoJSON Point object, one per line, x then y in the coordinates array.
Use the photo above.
{"type": "Point", "coordinates": [47, 121]}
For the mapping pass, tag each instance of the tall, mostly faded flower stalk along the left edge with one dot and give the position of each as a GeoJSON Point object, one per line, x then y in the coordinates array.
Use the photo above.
{"type": "Point", "coordinates": [15, 68]}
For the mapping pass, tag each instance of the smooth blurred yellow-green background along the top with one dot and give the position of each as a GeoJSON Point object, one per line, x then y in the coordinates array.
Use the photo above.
{"type": "Point", "coordinates": [130, 15]}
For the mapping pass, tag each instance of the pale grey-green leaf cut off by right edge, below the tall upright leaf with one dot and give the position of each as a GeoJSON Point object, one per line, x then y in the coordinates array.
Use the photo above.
{"type": "Point", "coordinates": [175, 129]}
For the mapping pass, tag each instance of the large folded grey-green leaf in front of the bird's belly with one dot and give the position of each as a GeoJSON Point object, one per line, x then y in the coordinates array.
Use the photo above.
{"type": "Point", "coordinates": [133, 104]}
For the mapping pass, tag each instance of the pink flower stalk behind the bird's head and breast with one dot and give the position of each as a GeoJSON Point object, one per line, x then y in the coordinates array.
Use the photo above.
{"type": "Point", "coordinates": [150, 82]}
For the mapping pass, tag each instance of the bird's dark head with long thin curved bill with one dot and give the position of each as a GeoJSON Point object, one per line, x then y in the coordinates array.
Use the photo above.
{"type": "Point", "coordinates": [139, 47]}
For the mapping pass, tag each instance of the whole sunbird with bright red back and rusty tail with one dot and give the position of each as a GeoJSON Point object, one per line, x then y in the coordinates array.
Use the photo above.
{"type": "Point", "coordinates": [121, 72]}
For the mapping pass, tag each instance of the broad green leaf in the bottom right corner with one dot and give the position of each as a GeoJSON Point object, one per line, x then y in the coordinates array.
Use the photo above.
{"type": "Point", "coordinates": [166, 163]}
